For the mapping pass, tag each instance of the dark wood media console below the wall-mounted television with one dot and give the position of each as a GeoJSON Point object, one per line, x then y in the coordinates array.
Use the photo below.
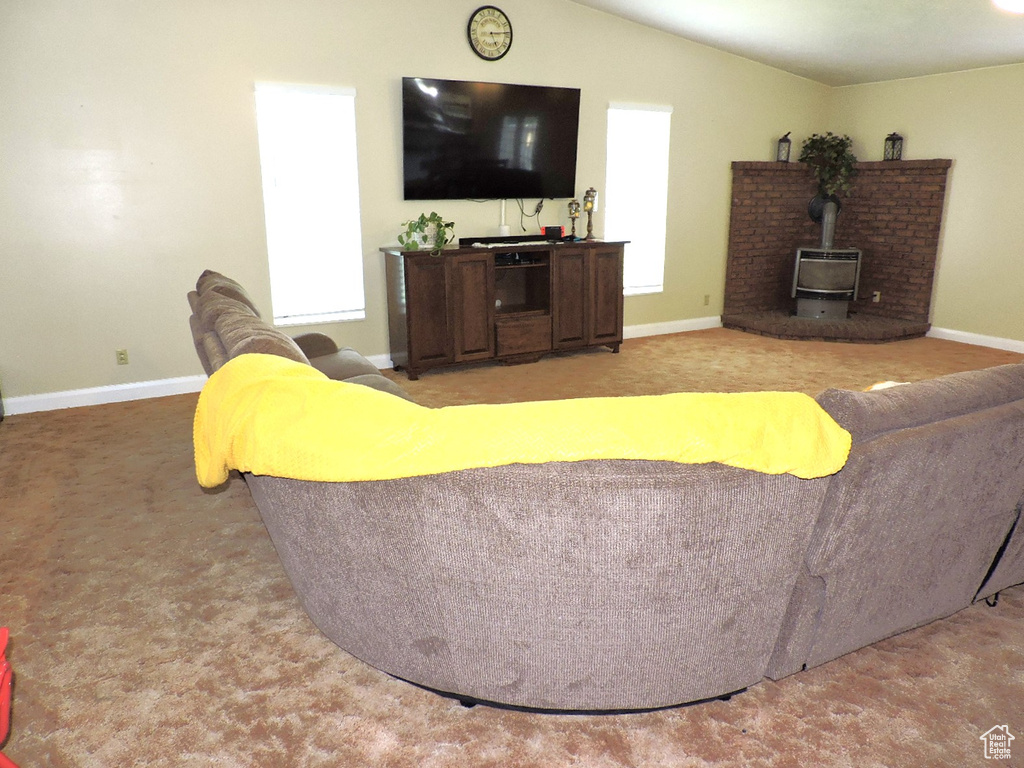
{"type": "Point", "coordinates": [513, 304]}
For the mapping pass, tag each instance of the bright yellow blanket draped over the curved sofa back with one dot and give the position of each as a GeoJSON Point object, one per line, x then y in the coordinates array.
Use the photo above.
{"type": "Point", "coordinates": [271, 416]}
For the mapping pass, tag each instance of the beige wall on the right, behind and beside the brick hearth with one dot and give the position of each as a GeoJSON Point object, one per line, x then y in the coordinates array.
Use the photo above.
{"type": "Point", "coordinates": [976, 119]}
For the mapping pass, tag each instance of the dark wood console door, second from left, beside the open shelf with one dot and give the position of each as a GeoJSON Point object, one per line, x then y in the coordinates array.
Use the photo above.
{"type": "Point", "coordinates": [472, 283]}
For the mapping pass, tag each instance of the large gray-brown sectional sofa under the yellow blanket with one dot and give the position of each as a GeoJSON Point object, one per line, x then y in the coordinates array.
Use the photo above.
{"type": "Point", "coordinates": [622, 585]}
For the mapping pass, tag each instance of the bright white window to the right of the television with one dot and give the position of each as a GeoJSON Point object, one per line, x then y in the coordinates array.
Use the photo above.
{"type": "Point", "coordinates": [636, 197]}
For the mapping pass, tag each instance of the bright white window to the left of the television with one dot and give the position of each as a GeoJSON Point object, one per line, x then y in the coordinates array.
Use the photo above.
{"type": "Point", "coordinates": [312, 202]}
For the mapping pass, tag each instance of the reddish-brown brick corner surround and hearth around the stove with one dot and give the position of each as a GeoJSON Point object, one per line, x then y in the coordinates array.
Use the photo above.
{"type": "Point", "coordinates": [893, 215]}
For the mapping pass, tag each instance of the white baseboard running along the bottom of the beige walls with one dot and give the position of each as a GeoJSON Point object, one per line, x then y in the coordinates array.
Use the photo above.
{"type": "Point", "coordinates": [185, 385]}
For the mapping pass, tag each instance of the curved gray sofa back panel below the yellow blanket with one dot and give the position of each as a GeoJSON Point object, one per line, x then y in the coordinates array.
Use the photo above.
{"type": "Point", "coordinates": [590, 585]}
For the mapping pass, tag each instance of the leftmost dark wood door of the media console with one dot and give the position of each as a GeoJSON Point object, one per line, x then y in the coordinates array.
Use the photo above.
{"type": "Point", "coordinates": [426, 309]}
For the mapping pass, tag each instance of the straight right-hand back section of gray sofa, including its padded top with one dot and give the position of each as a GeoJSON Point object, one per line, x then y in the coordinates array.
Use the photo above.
{"type": "Point", "coordinates": [914, 522]}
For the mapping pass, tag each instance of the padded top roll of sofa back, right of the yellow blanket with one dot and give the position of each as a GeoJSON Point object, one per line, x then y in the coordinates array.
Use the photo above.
{"type": "Point", "coordinates": [867, 415]}
